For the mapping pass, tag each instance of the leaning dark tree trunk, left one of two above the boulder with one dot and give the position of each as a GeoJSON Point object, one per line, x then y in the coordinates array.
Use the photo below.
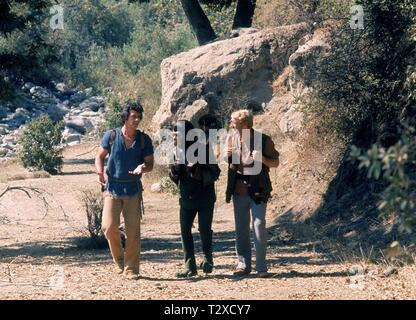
{"type": "Point", "coordinates": [198, 21]}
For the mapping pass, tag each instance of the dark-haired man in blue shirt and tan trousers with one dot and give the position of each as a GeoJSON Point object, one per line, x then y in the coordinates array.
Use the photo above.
{"type": "Point", "coordinates": [130, 155]}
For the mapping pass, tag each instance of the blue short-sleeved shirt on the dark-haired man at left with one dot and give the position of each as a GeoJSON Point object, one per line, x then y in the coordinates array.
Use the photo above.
{"type": "Point", "coordinates": [123, 160]}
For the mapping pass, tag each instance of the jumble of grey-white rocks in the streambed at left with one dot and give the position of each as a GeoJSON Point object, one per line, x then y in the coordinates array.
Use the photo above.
{"type": "Point", "coordinates": [81, 113]}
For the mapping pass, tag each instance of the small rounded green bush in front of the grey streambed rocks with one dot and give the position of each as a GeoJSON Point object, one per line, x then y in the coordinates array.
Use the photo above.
{"type": "Point", "coordinates": [40, 145]}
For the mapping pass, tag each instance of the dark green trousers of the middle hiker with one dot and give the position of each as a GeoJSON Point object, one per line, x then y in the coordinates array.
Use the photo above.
{"type": "Point", "coordinates": [187, 214]}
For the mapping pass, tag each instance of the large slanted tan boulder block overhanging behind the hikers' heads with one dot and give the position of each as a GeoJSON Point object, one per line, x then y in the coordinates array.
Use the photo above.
{"type": "Point", "coordinates": [207, 79]}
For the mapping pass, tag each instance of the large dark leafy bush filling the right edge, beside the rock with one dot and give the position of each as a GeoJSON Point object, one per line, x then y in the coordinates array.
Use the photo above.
{"type": "Point", "coordinates": [364, 91]}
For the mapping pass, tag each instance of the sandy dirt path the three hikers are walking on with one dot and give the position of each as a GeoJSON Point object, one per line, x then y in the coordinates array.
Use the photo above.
{"type": "Point", "coordinates": [39, 257]}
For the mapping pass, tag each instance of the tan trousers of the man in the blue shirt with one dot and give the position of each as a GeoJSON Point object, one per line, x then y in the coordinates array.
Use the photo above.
{"type": "Point", "coordinates": [131, 208]}
